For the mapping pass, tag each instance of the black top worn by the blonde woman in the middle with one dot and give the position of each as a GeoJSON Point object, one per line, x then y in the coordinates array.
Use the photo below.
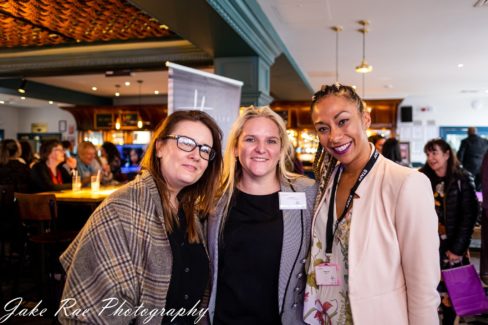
{"type": "Point", "coordinates": [249, 262]}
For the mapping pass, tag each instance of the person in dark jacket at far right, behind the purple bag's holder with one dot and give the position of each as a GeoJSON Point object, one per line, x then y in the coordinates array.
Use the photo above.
{"type": "Point", "coordinates": [471, 153]}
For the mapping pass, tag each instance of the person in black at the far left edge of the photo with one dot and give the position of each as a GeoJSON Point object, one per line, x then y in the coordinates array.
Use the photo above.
{"type": "Point", "coordinates": [13, 170]}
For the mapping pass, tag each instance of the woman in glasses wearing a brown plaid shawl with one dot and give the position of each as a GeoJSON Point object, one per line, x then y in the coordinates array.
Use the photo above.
{"type": "Point", "coordinates": [141, 254]}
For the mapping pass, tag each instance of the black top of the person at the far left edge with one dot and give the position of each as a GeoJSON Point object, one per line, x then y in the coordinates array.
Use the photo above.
{"type": "Point", "coordinates": [16, 174]}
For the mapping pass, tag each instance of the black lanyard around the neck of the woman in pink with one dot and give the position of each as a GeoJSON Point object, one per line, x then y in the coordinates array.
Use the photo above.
{"type": "Point", "coordinates": [330, 218]}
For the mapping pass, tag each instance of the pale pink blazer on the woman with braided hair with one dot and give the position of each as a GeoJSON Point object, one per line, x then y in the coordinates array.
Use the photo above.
{"type": "Point", "coordinates": [394, 248]}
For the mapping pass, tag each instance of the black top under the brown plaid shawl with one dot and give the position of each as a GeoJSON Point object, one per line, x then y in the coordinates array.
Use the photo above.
{"type": "Point", "coordinates": [189, 275]}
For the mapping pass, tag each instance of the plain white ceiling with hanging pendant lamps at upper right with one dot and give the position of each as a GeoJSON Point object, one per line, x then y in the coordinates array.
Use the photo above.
{"type": "Point", "coordinates": [414, 46]}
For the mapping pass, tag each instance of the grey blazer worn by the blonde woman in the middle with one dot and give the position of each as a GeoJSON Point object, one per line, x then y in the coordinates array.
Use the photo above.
{"type": "Point", "coordinates": [296, 241]}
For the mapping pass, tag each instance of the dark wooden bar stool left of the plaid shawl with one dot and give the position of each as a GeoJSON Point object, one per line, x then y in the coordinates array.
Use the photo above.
{"type": "Point", "coordinates": [38, 214]}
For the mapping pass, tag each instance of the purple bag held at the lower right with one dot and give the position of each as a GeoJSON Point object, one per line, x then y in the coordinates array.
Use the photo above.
{"type": "Point", "coordinates": [465, 290]}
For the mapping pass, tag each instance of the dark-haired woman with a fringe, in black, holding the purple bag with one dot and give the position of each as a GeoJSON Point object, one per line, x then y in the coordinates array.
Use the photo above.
{"type": "Point", "coordinates": [457, 209]}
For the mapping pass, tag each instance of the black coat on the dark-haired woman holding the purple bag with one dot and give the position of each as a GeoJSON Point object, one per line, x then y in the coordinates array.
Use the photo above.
{"type": "Point", "coordinates": [461, 209]}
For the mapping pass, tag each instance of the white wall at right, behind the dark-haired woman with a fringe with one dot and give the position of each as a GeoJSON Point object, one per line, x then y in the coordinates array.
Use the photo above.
{"type": "Point", "coordinates": [431, 112]}
